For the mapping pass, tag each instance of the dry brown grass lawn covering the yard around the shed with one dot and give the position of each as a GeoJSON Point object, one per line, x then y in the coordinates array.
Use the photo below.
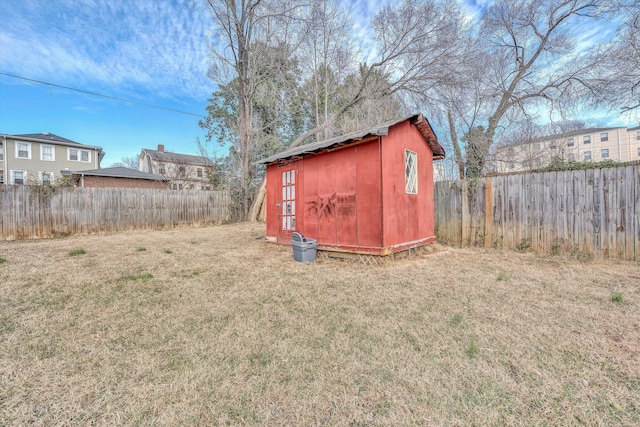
{"type": "Point", "coordinates": [213, 326]}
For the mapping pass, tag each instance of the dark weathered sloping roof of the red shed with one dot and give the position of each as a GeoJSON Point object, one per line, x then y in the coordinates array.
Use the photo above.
{"type": "Point", "coordinates": [380, 130]}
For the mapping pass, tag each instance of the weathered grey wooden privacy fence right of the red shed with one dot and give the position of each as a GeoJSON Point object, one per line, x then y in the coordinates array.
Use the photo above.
{"type": "Point", "coordinates": [594, 212]}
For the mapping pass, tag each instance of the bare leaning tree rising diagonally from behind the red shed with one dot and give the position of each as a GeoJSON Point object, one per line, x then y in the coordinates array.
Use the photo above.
{"type": "Point", "coordinates": [416, 41]}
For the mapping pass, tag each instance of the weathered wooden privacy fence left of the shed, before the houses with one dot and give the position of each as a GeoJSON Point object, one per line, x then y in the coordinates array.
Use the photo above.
{"type": "Point", "coordinates": [26, 213]}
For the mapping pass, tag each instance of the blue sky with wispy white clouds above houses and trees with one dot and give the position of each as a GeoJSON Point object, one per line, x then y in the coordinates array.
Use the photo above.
{"type": "Point", "coordinates": [150, 51]}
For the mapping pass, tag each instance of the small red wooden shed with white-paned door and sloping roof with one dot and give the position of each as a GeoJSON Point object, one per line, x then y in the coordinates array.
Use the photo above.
{"type": "Point", "coordinates": [367, 192]}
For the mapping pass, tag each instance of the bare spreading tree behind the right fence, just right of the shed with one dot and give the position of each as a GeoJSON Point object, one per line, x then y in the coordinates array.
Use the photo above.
{"type": "Point", "coordinates": [527, 58]}
